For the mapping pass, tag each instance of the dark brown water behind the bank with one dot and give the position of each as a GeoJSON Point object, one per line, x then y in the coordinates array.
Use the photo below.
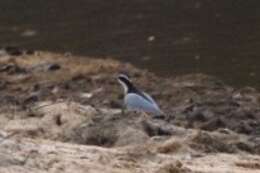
{"type": "Point", "coordinates": [169, 37]}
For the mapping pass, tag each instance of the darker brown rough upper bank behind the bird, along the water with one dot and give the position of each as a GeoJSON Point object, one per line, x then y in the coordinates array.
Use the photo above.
{"type": "Point", "coordinates": [192, 101]}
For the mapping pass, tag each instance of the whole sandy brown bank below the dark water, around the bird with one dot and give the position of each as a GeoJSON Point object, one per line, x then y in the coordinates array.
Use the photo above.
{"type": "Point", "coordinates": [62, 113]}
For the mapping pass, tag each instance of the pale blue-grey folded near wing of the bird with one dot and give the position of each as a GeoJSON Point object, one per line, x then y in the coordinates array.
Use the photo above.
{"type": "Point", "coordinates": [136, 102]}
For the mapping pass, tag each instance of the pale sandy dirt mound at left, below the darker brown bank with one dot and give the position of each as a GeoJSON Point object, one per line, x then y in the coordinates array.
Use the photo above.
{"type": "Point", "coordinates": [47, 121]}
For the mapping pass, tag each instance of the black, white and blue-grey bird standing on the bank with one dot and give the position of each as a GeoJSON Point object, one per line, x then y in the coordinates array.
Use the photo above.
{"type": "Point", "coordinates": [137, 100]}
